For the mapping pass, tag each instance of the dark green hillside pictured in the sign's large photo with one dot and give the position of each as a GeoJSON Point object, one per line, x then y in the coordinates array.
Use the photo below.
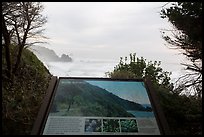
{"type": "Point", "coordinates": [79, 98]}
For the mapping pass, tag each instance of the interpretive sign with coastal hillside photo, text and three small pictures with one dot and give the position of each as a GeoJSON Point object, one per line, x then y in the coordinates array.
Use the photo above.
{"type": "Point", "coordinates": [100, 106]}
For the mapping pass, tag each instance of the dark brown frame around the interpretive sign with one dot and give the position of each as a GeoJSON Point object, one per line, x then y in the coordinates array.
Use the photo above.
{"type": "Point", "coordinates": [49, 97]}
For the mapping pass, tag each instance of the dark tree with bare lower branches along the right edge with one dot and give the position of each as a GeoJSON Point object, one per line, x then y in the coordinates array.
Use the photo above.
{"type": "Point", "coordinates": [186, 18]}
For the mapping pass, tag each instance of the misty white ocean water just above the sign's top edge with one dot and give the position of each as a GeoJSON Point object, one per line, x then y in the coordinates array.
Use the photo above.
{"type": "Point", "coordinates": [81, 68]}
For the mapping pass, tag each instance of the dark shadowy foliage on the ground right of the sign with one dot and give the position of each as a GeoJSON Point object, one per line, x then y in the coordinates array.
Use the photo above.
{"type": "Point", "coordinates": [183, 113]}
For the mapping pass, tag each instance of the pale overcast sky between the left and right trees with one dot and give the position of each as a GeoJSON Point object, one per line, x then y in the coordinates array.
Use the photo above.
{"type": "Point", "coordinates": [109, 30]}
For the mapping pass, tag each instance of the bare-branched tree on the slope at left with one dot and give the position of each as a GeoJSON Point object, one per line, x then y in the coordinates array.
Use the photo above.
{"type": "Point", "coordinates": [22, 24]}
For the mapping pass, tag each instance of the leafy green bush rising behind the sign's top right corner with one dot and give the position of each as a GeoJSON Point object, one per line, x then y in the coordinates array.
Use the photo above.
{"type": "Point", "coordinates": [140, 68]}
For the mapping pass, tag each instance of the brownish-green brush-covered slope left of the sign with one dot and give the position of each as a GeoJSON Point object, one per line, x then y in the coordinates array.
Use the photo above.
{"type": "Point", "coordinates": [22, 97]}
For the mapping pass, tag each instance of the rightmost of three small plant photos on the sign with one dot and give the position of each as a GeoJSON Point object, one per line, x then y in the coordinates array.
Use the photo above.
{"type": "Point", "coordinates": [128, 125]}
